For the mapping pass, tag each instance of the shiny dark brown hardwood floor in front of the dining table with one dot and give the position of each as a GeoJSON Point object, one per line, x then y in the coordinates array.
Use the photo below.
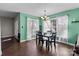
{"type": "Point", "coordinates": [29, 48]}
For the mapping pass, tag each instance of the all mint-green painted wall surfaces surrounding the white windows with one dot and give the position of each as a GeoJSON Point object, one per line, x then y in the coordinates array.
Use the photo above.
{"type": "Point", "coordinates": [73, 28]}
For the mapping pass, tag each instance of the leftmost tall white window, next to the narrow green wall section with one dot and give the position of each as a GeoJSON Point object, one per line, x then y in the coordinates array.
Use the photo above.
{"type": "Point", "coordinates": [32, 27]}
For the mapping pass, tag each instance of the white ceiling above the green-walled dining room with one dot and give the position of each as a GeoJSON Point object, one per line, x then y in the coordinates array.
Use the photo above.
{"type": "Point", "coordinates": [37, 9]}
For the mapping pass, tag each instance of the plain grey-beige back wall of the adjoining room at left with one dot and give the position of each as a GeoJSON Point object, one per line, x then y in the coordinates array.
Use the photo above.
{"type": "Point", "coordinates": [7, 27]}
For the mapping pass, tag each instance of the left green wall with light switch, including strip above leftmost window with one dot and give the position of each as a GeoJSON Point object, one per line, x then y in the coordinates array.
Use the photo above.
{"type": "Point", "coordinates": [23, 25]}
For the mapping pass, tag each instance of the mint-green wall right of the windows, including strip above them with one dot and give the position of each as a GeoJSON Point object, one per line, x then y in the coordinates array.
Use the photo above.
{"type": "Point", "coordinates": [73, 28]}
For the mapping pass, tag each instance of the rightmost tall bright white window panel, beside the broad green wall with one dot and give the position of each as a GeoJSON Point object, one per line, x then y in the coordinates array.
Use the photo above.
{"type": "Point", "coordinates": [62, 28]}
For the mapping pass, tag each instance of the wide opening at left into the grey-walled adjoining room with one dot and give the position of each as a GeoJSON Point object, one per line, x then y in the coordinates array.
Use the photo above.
{"type": "Point", "coordinates": [8, 30]}
